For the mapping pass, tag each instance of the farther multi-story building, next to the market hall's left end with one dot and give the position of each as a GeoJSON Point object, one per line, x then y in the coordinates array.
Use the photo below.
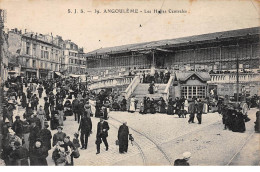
{"type": "Point", "coordinates": [74, 61]}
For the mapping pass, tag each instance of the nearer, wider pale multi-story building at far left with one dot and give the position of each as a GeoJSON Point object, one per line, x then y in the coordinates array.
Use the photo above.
{"type": "Point", "coordinates": [39, 55]}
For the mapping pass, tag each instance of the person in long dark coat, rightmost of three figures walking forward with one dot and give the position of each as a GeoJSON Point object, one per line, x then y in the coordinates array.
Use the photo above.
{"type": "Point", "coordinates": [122, 136]}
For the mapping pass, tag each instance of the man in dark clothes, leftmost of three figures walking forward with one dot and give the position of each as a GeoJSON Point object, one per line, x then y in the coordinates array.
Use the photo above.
{"type": "Point", "coordinates": [85, 127]}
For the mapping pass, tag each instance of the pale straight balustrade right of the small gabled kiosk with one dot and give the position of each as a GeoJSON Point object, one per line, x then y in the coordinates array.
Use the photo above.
{"type": "Point", "coordinates": [232, 78]}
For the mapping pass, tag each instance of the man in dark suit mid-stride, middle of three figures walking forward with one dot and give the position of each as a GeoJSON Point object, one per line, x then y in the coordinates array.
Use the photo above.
{"type": "Point", "coordinates": [102, 133]}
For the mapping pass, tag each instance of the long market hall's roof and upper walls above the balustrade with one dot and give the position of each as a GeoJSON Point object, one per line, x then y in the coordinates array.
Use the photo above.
{"type": "Point", "coordinates": [213, 51]}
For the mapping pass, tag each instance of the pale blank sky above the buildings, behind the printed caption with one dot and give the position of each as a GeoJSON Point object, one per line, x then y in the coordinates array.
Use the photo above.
{"type": "Point", "coordinates": [93, 31]}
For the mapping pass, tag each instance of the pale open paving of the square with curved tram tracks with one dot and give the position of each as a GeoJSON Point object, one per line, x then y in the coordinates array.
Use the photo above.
{"type": "Point", "coordinates": [161, 138]}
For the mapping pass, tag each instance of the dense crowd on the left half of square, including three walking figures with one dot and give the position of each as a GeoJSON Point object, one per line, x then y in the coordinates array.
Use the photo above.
{"type": "Point", "coordinates": [27, 140]}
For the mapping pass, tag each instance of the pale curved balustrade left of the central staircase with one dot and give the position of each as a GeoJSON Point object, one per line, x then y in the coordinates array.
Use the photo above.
{"type": "Point", "coordinates": [110, 82]}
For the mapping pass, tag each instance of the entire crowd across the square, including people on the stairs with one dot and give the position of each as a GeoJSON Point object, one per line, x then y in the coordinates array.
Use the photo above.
{"type": "Point", "coordinates": [28, 139]}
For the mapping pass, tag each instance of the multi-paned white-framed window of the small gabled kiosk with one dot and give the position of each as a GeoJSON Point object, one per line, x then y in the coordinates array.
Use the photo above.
{"type": "Point", "coordinates": [194, 91]}
